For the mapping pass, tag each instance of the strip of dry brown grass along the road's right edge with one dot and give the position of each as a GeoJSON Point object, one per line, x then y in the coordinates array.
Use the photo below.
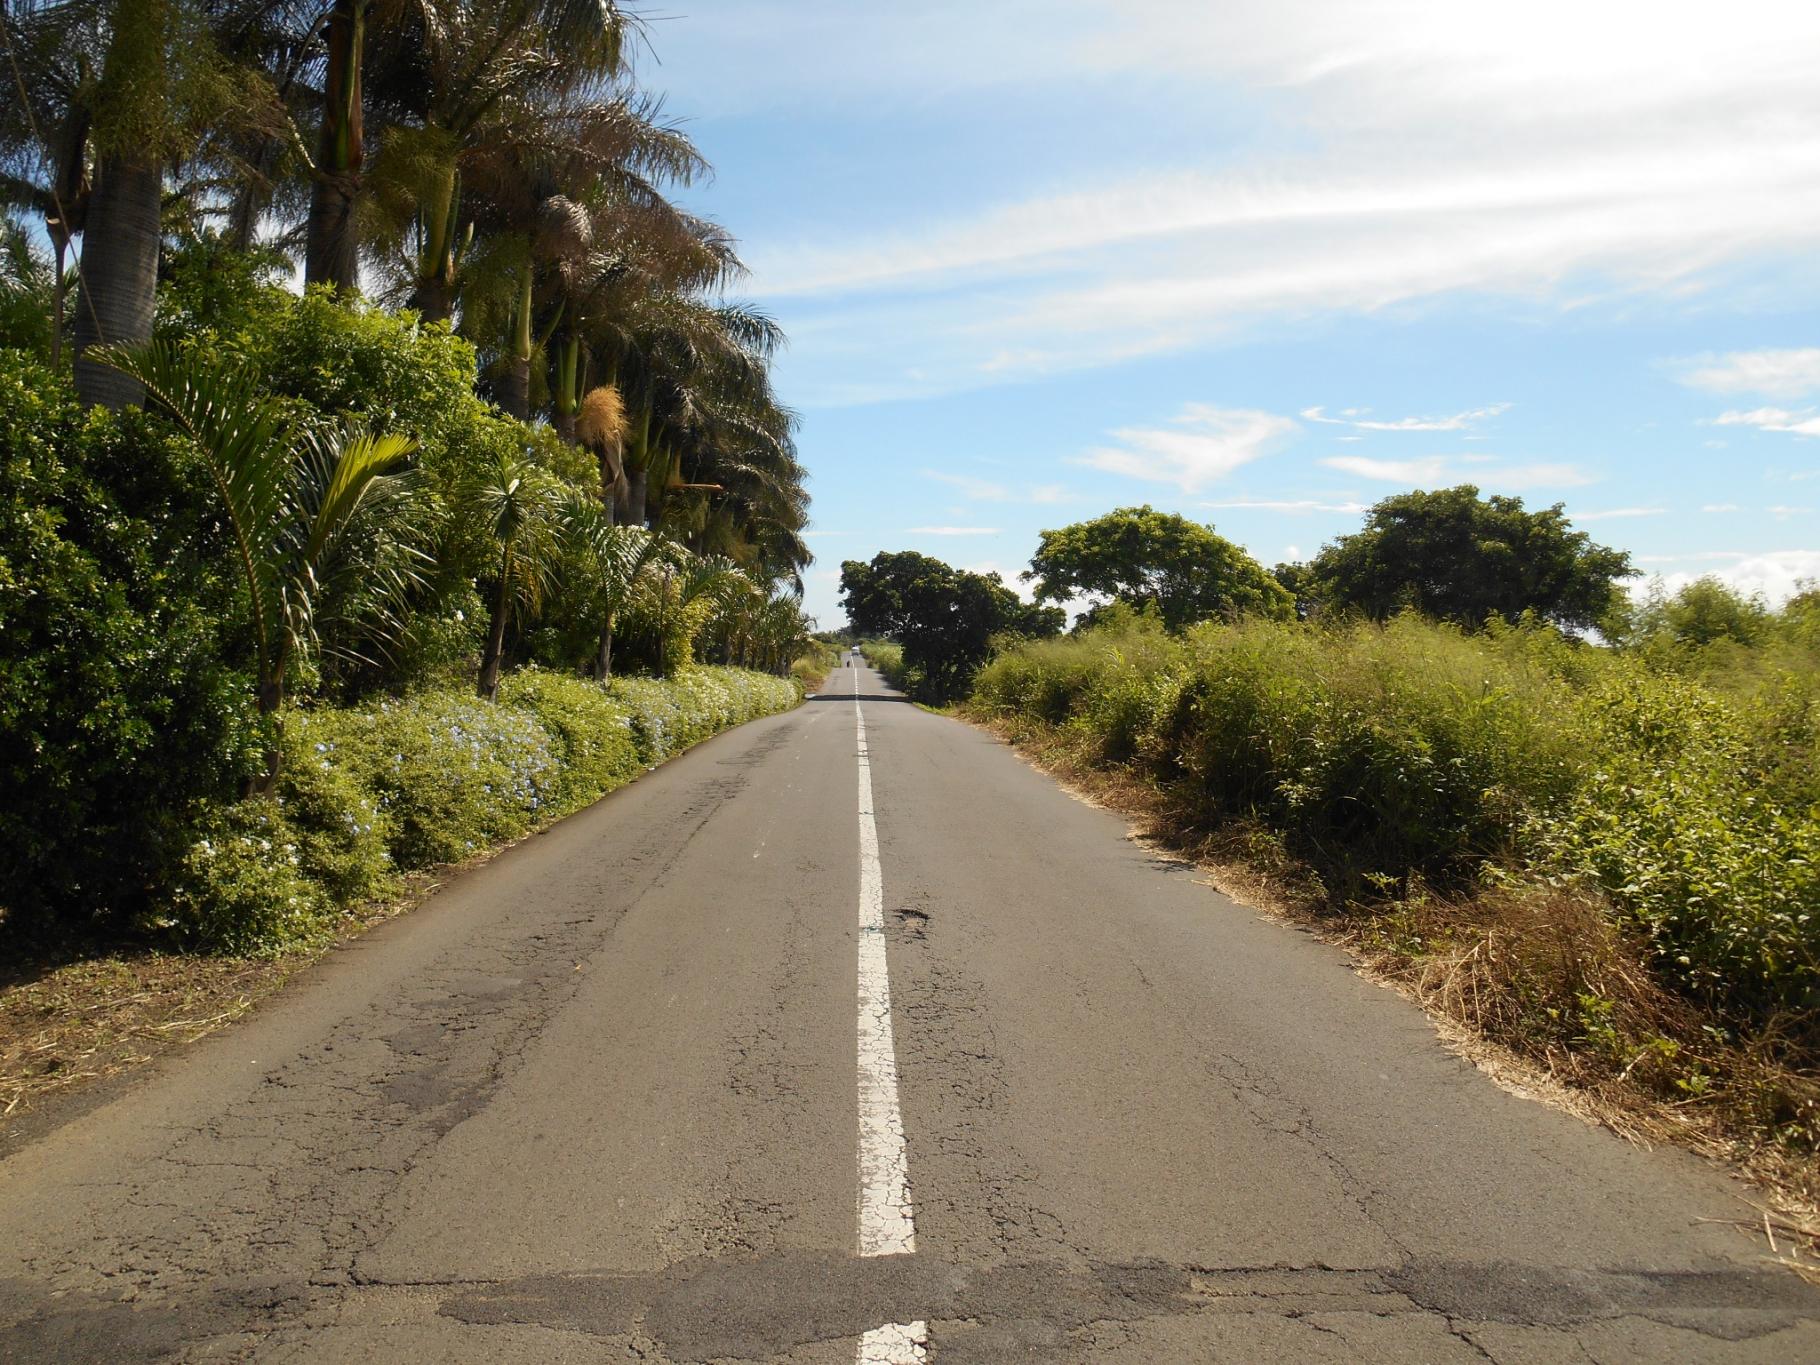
{"type": "Point", "coordinates": [1533, 986]}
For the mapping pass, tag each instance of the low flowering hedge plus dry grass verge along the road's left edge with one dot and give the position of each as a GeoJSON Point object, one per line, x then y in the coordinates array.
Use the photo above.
{"type": "Point", "coordinates": [376, 805]}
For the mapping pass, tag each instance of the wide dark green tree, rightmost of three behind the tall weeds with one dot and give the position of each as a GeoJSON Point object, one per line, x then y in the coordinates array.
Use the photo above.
{"type": "Point", "coordinates": [1461, 558]}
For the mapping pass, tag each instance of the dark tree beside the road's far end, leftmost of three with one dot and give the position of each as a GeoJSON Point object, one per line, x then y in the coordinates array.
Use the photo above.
{"type": "Point", "coordinates": [944, 618]}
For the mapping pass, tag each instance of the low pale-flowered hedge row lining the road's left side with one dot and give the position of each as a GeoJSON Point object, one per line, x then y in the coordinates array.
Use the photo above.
{"type": "Point", "coordinates": [434, 778]}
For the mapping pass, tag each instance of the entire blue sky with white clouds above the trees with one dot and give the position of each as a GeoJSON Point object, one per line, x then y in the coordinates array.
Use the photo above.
{"type": "Point", "coordinates": [1266, 263]}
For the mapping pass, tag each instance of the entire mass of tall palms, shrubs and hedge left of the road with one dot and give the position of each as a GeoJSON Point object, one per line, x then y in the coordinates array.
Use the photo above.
{"type": "Point", "coordinates": [307, 589]}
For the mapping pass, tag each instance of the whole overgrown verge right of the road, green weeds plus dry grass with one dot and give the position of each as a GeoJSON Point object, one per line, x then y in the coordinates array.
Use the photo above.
{"type": "Point", "coordinates": [1601, 862]}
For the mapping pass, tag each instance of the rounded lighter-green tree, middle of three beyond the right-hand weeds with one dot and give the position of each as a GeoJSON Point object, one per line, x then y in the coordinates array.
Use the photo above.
{"type": "Point", "coordinates": [1148, 558]}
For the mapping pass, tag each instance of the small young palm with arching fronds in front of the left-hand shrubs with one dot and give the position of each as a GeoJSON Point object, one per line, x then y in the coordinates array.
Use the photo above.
{"type": "Point", "coordinates": [307, 505]}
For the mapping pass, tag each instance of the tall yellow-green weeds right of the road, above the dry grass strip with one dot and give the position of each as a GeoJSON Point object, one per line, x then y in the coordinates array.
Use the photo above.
{"type": "Point", "coordinates": [1679, 791]}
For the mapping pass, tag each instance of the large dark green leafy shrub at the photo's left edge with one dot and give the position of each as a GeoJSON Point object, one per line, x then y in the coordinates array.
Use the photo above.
{"type": "Point", "coordinates": [119, 703]}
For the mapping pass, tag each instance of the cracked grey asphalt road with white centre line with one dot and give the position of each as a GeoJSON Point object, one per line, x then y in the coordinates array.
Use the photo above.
{"type": "Point", "coordinates": [652, 1087]}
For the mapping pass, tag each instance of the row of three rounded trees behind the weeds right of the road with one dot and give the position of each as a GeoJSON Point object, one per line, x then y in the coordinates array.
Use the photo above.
{"type": "Point", "coordinates": [1448, 554]}
